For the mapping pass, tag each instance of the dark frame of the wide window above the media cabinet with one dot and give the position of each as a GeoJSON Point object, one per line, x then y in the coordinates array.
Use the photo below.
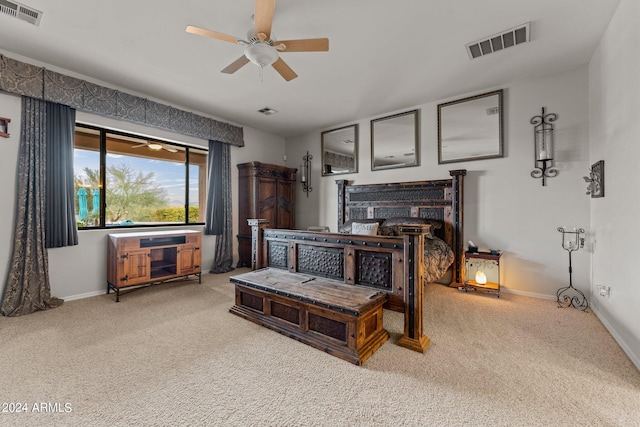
{"type": "Point", "coordinates": [103, 133]}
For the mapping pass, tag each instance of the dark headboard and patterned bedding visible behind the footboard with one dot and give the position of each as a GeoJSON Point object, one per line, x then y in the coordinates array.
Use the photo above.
{"type": "Point", "coordinates": [438, 203]}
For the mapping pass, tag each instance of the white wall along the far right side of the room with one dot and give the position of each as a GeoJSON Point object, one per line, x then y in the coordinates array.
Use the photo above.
{"type": "Point", "coordinates": [614, 101]}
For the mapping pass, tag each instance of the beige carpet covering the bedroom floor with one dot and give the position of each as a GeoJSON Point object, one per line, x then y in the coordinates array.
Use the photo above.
{"type": "Point", "coordinates": [172, 355]}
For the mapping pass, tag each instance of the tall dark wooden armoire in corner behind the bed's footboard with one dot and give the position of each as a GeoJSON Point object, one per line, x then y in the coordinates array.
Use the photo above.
{"type": "Point", "coordinates": [265, 192]}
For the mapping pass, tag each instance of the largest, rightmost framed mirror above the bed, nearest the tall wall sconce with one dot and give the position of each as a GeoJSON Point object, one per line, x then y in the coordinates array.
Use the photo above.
{"type": "Point", "coordinates": [471, 128]}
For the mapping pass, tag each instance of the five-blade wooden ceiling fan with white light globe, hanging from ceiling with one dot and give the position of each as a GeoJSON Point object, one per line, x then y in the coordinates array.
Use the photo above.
{"type": "Point", "coordinates": [260, 48]}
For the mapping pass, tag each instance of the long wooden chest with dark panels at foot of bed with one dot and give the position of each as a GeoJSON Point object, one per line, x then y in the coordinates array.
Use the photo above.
{"type": "Point", "coordinates": [342, 320]}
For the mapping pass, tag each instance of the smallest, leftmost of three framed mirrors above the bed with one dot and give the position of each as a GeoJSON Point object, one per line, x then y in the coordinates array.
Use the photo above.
{"type": "Point", "coordinates": [340, 150]}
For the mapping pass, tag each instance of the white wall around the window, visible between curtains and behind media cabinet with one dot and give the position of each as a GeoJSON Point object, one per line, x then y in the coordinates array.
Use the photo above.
{"type": "Point", "coordinates": [80, 271]}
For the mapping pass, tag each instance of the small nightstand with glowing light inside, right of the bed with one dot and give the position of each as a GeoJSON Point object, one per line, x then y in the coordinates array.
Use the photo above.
{"type": "Point", "coordinates": [482, 271]}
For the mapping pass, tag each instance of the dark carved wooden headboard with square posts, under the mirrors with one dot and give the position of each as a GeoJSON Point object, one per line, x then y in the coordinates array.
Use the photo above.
{"type": "Point", "coordinates": [441, 199]}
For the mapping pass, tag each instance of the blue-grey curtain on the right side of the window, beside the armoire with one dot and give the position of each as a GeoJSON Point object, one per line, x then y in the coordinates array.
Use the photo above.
{"type": "Point", "coordinates": [218, 216]}
